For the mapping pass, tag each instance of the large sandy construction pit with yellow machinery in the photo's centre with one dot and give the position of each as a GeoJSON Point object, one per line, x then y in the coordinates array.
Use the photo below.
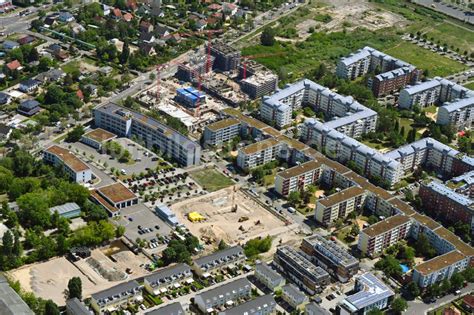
{"type": "Point", "coordinates": [222, 223]}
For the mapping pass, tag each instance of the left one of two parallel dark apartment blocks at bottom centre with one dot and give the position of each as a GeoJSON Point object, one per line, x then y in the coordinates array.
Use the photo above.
{"type": "Point", "coordinates": [300, 270]}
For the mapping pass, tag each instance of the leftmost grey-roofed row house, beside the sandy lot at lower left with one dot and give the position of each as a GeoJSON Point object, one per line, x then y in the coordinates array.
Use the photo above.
{"type": "Point", "coordinates": [109, 300]}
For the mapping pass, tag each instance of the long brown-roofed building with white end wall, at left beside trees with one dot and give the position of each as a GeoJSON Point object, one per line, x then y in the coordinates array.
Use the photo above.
{"type": "Point", "coordinates": [77, 170]}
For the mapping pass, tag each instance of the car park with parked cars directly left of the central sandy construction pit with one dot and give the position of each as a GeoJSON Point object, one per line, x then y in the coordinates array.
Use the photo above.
{"type": "Point", "coordinates": [140, 216]}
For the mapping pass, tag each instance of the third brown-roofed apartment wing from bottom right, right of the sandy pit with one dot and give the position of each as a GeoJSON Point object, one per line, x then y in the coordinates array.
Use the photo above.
{"type": "Point", "coordinates": [339, 205]}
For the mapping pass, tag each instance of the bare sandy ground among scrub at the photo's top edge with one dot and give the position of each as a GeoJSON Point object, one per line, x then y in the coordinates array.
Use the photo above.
{"type": "Point", "coordinates": [350, 15]}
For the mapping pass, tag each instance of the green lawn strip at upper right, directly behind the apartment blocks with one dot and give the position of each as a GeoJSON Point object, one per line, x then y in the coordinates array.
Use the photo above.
{"type": "Point", "coordinates": [425, 59]}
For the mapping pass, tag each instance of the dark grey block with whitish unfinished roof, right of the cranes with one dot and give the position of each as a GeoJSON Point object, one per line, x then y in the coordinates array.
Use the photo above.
{"type": "Point", "coordinates": [259, 84]}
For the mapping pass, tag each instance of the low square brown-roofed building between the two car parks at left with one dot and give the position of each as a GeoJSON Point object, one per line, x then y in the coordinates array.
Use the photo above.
{"type": "Point", "coordinates": [114, 197]}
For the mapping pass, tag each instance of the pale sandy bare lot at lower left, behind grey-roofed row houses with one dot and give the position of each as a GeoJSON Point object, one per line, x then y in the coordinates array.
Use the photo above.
{"type": "Point", "coordinates": [49, 280]}
